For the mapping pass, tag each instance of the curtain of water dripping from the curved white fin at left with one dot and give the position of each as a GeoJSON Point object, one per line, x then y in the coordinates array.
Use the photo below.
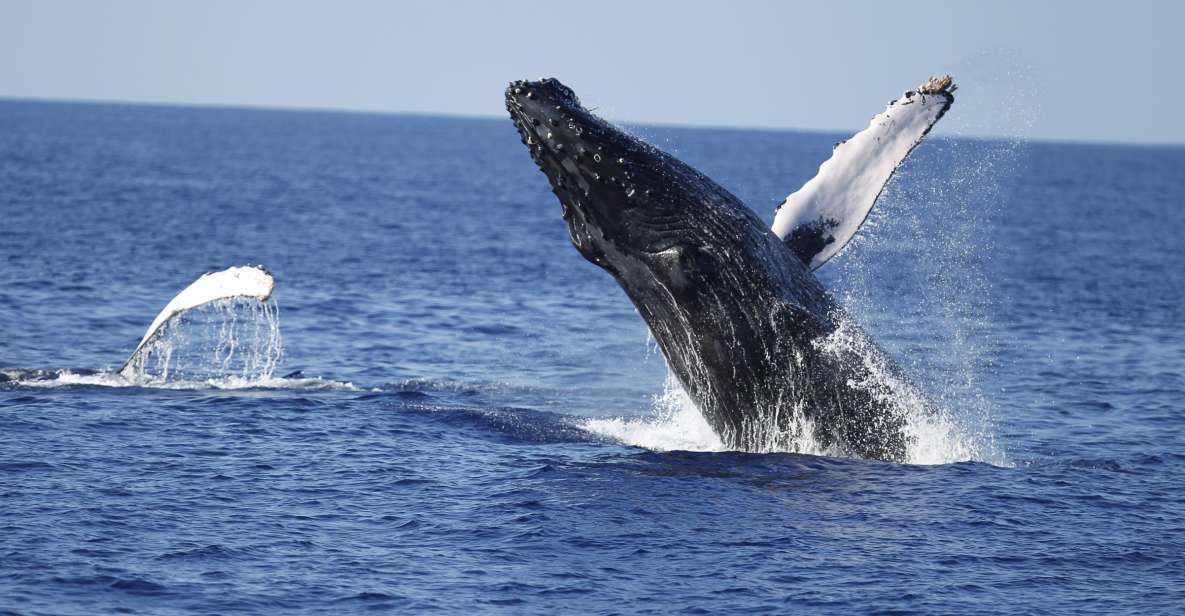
{"type": "Point", "coordinates": [236, 338]}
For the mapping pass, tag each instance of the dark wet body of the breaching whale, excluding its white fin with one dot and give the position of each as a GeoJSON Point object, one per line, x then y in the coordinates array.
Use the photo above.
{"type": "Point", "coordinates": [739, 317]}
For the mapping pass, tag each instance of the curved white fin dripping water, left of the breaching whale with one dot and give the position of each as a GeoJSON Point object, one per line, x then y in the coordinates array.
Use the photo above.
{"type": "Point", "coordinates": [246, 281]}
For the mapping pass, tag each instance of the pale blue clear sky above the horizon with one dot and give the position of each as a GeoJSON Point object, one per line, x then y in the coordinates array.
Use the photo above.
{"type": "Point", "coordinates": [1051, 70]}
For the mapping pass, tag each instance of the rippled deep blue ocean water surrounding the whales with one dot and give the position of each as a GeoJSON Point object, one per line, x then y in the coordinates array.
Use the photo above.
{"type": "Point", "coordinates": [483, 426]}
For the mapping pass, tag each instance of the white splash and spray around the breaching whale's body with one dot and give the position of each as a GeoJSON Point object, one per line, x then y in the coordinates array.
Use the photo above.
{"type": "Point", "coordinates": [915, 277]}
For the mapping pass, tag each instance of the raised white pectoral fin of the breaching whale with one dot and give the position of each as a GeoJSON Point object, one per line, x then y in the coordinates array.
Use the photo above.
{"type": "Point", "coordinates": [819, 220]}
